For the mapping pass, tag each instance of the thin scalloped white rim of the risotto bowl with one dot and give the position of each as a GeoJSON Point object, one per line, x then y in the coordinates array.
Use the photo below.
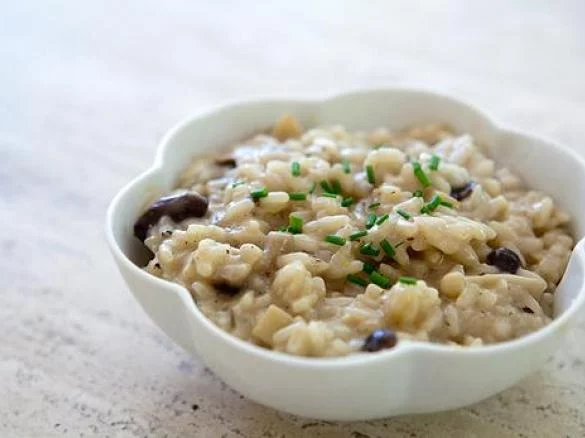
{"type": "Point", "coordinates": [404, 347]}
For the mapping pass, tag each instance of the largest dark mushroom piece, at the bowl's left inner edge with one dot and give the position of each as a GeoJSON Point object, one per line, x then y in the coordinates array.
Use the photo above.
{"type": "Point", "coordinates": [178, 207]}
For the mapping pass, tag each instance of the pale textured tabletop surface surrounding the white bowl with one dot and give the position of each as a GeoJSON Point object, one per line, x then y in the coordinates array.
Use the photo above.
{"type": "Point", "coordinates": [87, 89]}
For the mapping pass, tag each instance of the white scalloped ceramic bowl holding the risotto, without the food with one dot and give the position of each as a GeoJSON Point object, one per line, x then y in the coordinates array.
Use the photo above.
{"type": "Point", "coordinates": [414, 377]}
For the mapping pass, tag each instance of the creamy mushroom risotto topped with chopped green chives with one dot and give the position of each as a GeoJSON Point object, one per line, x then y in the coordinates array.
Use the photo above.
{"type": "Point", "coordinates": [331, 242]}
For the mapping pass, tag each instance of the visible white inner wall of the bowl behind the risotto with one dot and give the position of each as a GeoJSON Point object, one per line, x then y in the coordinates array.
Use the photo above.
{"type": "Point", "coordinates": [543, 165]}
